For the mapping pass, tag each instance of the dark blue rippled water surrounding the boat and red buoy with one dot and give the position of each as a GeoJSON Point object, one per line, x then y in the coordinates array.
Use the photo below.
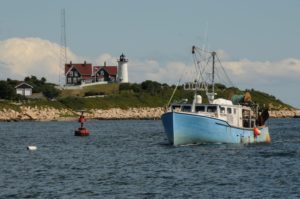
{"type": "Point", "coordinates": [131, 159]}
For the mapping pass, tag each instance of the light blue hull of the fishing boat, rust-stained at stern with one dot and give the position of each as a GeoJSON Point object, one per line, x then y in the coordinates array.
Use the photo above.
{"type": "Point", "coordinates": [184, 128]}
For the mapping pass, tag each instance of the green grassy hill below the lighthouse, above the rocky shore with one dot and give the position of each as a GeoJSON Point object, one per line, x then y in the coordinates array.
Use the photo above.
{"type": "Point", "coordinates": [146, 94]}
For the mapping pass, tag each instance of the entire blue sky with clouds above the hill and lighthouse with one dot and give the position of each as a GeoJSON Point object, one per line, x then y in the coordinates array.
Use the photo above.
{"type": "Point", "coordinates": [258, 40]}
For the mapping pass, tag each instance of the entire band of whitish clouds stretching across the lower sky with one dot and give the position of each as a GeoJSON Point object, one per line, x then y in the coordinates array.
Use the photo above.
{"type": "Point", "coordinates": [21, 57]}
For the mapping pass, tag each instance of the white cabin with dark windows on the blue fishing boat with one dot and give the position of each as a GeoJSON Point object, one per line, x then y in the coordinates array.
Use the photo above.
{"type": "Point", "coordinates": [234, 115]}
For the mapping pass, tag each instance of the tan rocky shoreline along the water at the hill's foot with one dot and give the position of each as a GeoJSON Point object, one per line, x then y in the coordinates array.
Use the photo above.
{"type": "Point", "coordinates": [52, 114]}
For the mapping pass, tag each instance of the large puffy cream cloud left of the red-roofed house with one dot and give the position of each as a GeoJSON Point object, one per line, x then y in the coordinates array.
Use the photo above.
{"type": "Point", "coordinates": [20, 57]}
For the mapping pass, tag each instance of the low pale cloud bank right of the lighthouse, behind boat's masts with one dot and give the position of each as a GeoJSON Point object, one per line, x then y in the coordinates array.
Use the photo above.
{"type": "Point", "coordinates": [243, 72]}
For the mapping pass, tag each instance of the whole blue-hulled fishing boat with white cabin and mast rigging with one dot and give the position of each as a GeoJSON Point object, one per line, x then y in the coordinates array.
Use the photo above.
{"type": "Point", "coordinates": [235, 120]}
